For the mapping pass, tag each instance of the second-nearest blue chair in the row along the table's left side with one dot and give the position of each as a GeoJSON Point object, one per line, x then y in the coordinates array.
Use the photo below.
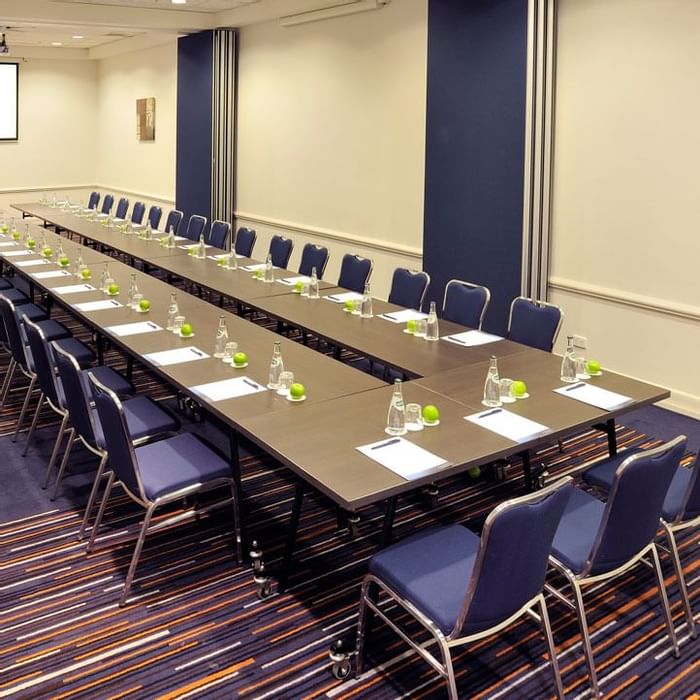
{"type": "Point", "coordinates": [145, 419]}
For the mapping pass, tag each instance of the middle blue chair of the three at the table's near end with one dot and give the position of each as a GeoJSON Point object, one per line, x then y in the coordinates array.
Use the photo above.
{"type": "Point", "coordinates": [598, 541]}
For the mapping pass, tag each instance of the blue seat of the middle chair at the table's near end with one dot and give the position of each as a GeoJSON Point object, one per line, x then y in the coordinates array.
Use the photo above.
{"type": "Point", "coordinates": [577, 530]}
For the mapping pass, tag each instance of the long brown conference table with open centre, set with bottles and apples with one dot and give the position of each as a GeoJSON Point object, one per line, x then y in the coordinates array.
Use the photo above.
{"type": "Point", "coordinates": [318, 439]}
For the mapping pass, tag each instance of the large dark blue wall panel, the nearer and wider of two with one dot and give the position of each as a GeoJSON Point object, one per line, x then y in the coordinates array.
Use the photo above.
{"type": "Point", "coordinates": [477, 57]}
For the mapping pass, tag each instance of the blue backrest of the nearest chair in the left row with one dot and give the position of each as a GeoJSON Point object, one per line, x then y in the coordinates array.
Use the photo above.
{"type": "Point", "coordinates": [122, 457]}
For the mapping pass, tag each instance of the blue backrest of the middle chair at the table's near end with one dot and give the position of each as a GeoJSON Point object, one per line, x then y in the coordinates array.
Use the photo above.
{"type": "Point", "coordinates": [633, 508]}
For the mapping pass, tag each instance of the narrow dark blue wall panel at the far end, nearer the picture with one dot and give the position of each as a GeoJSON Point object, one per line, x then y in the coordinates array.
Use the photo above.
{"type": "Point", "coordinates": [194, 124]}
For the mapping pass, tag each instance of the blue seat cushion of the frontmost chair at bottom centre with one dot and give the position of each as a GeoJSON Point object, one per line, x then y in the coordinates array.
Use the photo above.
{"type": "Point", "coordinates": [432, 570]}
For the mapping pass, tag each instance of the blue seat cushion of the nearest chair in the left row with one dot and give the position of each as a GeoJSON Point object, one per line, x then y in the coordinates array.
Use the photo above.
{"type": "Point", "coordinates": [177, 463]}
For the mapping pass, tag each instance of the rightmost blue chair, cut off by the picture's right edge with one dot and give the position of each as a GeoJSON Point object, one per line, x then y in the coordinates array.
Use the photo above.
{"type": "Point", "coordinates": [680, 511]}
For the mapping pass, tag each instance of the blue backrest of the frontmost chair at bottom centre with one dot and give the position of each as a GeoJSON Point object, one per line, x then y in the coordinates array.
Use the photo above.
{"type": "Point", "coordinates": [512, 559]}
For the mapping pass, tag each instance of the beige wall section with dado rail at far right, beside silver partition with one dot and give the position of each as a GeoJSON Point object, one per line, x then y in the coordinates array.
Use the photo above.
{"type": "Point", "coordinates": [626, 220]}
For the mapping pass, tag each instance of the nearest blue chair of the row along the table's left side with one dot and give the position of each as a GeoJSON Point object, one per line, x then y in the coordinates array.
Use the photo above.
{"type": "Point", "coordinates": [192, 468]}
